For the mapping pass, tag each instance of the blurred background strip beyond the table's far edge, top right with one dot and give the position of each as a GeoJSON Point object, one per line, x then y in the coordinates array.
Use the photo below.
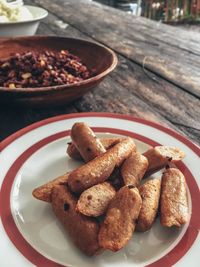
{"type": "Point", "coordinates": [169, 11]}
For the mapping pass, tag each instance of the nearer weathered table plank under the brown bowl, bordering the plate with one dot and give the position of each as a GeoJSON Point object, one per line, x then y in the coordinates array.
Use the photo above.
{"type": "Point", "coordinates": [127, 90]}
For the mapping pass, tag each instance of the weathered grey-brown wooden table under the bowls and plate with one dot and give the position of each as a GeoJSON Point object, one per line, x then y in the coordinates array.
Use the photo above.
{"type": "Point", "coordinates": [157, 78]}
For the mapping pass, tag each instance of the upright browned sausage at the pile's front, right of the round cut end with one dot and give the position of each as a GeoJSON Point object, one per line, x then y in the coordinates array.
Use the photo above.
{"type": "Point", "coordinates": [119, 223]}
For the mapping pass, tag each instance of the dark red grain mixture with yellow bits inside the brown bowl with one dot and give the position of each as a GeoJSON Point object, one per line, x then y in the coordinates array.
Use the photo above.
{"type": "Point", "coordinates": [42, 69]}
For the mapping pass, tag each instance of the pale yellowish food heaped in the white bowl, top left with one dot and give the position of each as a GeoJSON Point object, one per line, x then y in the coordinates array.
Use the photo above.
{"type": "Point", "coordinates": [13, 12]}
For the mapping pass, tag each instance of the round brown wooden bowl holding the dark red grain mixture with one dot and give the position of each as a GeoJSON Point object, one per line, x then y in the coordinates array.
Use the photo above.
{"type": "Point", "coordinates": [95, 56]}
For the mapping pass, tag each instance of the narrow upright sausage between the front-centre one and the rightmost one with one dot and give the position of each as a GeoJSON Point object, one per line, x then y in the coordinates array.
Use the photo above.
{"type": "Point", "coordinates": [150, 193]}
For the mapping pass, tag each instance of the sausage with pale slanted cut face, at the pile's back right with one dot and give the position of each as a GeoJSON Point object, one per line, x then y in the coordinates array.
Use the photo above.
{"type": "Point", "coordinates": [159, 156]}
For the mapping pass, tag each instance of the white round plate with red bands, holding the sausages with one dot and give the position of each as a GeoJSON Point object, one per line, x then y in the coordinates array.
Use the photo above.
{"type": "Point", "coordinates": [30, 233]}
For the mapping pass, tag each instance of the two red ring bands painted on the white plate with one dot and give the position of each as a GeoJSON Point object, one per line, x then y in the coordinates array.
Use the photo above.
{"type": "Point", "coordinates": [35, 257]}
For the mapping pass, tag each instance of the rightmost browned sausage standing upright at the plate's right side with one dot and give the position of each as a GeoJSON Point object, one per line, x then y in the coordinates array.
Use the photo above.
{"type": "Point", "coordinates": [174, 208]}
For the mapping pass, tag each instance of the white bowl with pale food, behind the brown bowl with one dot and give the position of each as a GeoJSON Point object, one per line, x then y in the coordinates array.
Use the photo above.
{"type": "Point", "coordinates": [25, 28]}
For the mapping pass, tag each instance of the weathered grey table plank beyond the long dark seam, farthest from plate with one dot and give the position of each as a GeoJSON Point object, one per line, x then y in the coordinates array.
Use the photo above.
{"type": "Point", "coordinates": [169, 52]}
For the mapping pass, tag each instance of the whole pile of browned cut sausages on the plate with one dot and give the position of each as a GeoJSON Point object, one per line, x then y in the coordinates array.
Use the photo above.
{"type": "Point", "coordinates": [102, 202]}
